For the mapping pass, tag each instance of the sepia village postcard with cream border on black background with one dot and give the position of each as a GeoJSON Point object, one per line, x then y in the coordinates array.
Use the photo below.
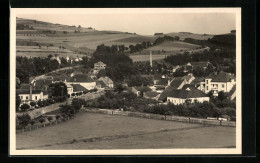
{"type": "Point", "coordinates": [136, 81]}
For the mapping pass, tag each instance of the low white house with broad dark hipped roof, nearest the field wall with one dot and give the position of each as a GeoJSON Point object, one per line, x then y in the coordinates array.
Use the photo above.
{"type": "Point", "coordinates": [180, 96]}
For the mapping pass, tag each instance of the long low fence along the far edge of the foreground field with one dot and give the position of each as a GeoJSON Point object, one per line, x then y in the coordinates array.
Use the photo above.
{"type": "Point", "coordinates": [163, 117]}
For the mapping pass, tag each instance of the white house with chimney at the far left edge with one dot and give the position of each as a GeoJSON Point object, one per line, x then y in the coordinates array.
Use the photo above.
{"type": "Point", "coordinates": [28, 95]}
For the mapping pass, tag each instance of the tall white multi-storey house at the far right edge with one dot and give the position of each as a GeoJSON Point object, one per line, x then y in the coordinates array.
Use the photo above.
{"type": "Point", "coordinates": [218, 82]}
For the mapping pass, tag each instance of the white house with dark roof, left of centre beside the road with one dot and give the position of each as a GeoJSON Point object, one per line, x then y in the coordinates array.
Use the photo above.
{"type": "Point", "coordinates": [83, 80]}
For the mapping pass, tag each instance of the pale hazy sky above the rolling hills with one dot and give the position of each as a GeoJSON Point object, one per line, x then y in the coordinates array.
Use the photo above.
{"type": "Point", "coordinates": [145, 23]}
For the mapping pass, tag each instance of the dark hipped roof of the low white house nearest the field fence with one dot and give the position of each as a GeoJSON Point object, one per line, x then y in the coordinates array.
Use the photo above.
{"type": "Point", "coordinates": [184, 94]}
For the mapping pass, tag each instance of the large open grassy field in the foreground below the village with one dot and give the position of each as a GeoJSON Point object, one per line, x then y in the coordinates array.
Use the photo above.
{"type": "Point", "coordinates": [102, 131]}
